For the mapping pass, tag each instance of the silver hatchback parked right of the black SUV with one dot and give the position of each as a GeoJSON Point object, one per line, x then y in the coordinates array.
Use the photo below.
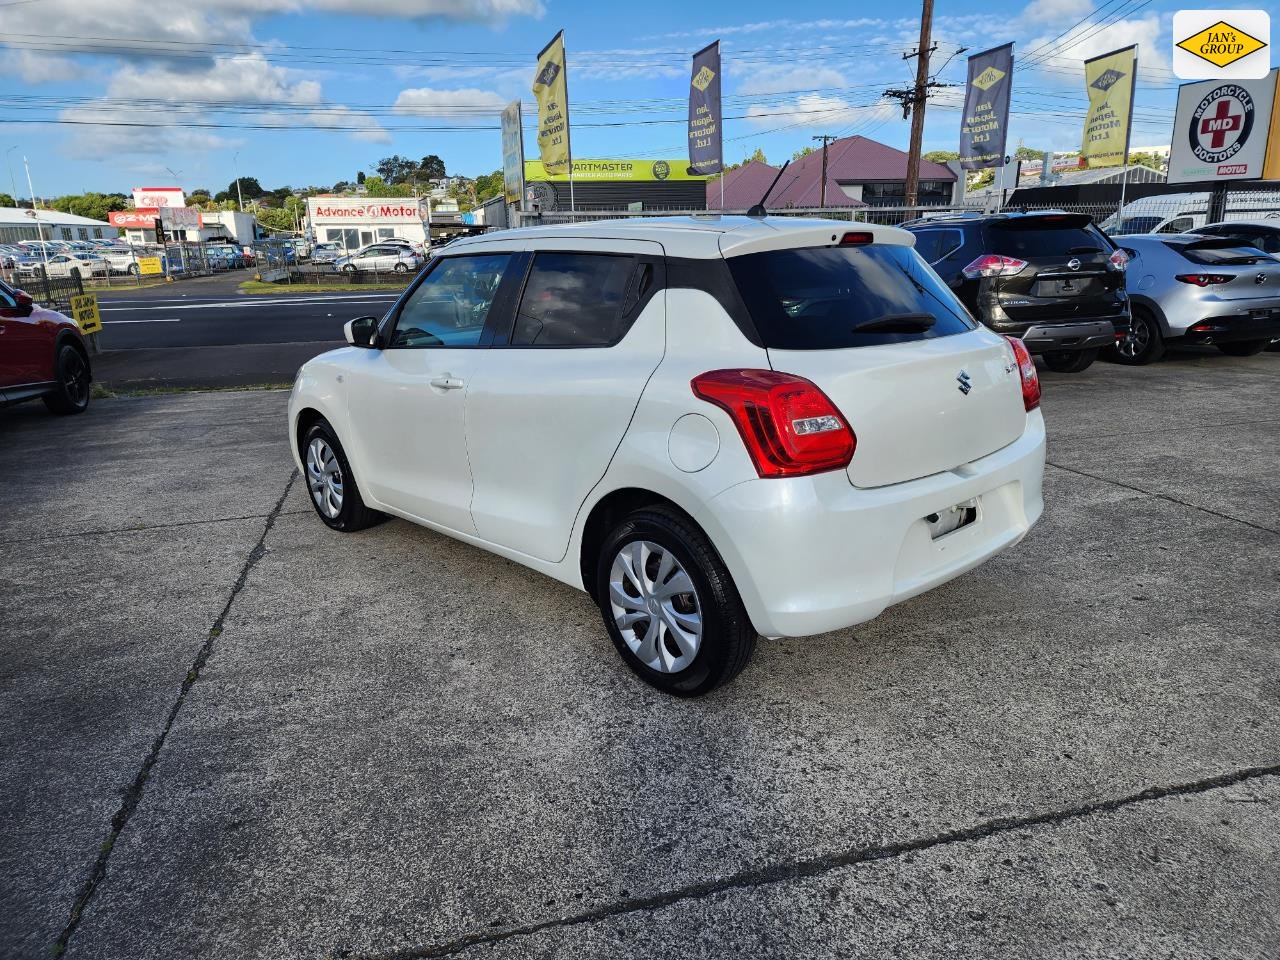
{"type": "Point", "coordinates": [1199, 290]}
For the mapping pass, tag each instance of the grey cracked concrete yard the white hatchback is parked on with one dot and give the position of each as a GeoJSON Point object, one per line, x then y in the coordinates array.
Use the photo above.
{"type": "Point", "coordinates": [230, 732]}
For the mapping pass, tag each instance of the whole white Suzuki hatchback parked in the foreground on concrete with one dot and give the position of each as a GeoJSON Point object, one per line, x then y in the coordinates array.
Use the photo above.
{"type": "Point", "coordinates": [717, 428]}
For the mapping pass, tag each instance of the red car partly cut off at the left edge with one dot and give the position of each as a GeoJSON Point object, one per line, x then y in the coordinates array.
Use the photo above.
{"type": "Point", "coordinates": [42, 355]}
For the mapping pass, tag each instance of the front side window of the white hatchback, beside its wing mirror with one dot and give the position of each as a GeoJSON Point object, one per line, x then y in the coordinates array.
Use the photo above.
{"type": "Point", "coordinates": [450, 308]}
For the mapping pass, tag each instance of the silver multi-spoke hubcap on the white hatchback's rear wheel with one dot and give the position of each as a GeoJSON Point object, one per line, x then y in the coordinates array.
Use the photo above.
{"type": "Point", "coordinates": [656, 607]}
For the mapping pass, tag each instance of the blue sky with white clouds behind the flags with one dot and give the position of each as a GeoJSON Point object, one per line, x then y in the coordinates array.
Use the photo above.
{"type": "Point", "coordinates": [346, 83]}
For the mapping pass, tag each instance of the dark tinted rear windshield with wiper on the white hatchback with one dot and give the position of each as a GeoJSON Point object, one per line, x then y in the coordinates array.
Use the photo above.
{"type": "Point", "coordinates": [817, 299]}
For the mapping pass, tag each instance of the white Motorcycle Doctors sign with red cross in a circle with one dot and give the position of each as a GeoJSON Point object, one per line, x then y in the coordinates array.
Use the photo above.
{"type": "Point", "coordinates": [1222, 130]}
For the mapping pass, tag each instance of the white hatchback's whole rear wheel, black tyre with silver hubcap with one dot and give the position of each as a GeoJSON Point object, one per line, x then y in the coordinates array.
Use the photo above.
{"type": "Point", "coordinates": [669, 545]}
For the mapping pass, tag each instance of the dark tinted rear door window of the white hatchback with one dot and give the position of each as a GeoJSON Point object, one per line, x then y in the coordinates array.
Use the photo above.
{"type": "Point", "coordinates": [574, 300]}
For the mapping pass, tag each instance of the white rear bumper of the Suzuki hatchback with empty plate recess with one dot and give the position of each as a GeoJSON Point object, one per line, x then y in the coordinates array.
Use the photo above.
{"type": "Point", "coordinates": [812, 555]}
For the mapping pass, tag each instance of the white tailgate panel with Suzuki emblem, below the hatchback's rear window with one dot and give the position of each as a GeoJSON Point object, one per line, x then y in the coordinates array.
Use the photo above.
{"type": "Point", "coordinates": [908, 406]}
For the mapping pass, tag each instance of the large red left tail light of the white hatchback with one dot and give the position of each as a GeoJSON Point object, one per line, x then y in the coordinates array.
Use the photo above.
{"type": "Point", "coordinates": [789, 426]}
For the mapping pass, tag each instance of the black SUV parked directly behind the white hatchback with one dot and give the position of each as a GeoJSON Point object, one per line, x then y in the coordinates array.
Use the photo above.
{"type": "Point", "coordinates": [1054, 280]}
